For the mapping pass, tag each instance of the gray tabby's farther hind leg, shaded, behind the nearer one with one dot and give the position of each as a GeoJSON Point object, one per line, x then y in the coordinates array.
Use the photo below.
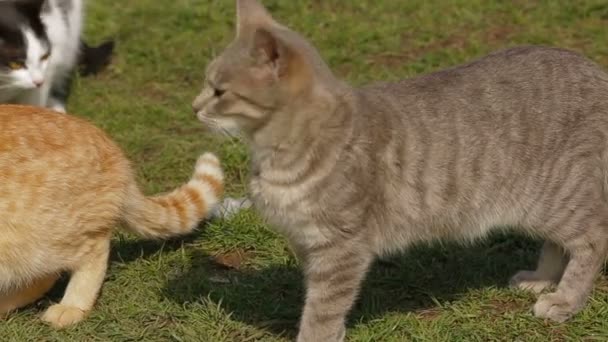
{"type": "Point", "coordinates": [551, 264]}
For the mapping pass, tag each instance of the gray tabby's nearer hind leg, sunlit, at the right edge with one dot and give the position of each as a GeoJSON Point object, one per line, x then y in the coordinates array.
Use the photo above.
{"type": "Point", "coordinates": [587, 256]}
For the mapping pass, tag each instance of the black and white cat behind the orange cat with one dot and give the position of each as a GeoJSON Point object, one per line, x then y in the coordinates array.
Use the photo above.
{"type": "Point", "coordinates": [40, 47]}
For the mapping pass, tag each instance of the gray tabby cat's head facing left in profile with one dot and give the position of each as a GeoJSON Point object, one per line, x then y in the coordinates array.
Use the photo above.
{"type": "Point", "coordinates": [267, 70]}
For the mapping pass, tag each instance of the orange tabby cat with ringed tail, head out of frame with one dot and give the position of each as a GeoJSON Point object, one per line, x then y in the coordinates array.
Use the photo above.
{"type": "Point", "coordinates": [63, 186]}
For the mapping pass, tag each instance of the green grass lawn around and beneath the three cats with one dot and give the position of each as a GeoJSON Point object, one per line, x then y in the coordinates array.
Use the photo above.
{"type": "Point", "coordinates": [235, 280]}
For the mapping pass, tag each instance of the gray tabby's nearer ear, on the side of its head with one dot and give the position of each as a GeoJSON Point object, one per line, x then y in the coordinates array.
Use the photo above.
{"type": "Point", "coordinates": [279, 59]}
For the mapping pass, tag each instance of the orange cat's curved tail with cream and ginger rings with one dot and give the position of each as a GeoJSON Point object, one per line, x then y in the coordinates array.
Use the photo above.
{"type": "Point", "coordinates": [179, 211]}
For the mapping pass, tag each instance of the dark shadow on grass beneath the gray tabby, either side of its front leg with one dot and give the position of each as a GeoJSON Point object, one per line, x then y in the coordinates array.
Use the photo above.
{"type": "Point", "coordinates": [413, 282]}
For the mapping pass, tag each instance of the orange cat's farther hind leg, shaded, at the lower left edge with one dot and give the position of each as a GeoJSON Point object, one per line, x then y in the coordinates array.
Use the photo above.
{"type": "Point", "coordinates": [26, 295]}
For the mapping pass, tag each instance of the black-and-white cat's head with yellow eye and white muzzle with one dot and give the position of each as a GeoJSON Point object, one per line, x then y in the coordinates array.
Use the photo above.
{"type": "Point", "coordinates": [24, 45]}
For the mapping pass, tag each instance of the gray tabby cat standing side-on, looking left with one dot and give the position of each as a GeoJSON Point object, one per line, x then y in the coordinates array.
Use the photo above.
{"type": "Point", "coordinates": [518, 138]}
